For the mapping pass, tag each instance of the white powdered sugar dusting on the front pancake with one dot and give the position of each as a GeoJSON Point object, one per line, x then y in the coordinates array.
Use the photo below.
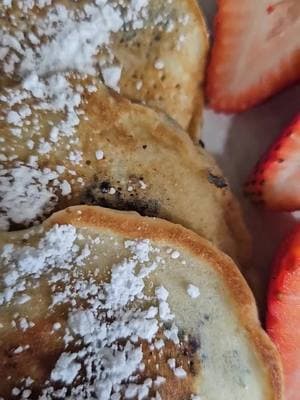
{"type": "Point", "coordinates": [103, 339]}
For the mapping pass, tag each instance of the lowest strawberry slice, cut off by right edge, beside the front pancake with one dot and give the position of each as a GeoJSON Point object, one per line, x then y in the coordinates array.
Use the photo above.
{"type": "Point", "coordinates": [283, 317]}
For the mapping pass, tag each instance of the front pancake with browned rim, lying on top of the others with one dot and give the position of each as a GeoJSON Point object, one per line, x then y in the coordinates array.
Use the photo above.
{"type": "Point", "coordinates": [105, 304]}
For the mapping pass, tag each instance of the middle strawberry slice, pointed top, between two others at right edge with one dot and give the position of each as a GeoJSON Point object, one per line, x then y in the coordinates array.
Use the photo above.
{"type": "Point", "coordinates": [276, 179]}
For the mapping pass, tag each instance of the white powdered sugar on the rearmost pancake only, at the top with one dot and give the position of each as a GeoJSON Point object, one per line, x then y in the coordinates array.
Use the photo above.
{"type": "Point", "coordinates": [75, 37]}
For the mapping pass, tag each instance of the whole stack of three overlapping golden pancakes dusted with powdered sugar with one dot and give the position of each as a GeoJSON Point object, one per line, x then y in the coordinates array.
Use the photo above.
{"type": "Point", "coordinates": [100, 106]}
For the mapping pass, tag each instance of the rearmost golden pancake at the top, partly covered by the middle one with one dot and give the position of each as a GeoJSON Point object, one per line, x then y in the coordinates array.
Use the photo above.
{"type": "Point", "coordinates": [150, 51]}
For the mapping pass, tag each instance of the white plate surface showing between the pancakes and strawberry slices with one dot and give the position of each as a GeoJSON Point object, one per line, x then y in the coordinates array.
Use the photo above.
{"type": "Point", "coordinates": [237, 142]}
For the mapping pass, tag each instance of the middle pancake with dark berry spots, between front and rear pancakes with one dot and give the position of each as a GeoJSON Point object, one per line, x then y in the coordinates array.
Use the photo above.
{"type": "Point", "coordinates": [69, 141]}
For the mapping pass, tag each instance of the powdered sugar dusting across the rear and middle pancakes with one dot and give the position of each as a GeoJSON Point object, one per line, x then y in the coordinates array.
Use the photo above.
{"type": "Point", "coordinates": [50, 59]}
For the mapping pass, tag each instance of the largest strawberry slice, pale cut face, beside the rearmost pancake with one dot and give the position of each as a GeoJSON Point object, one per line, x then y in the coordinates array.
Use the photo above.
{"type": "Point", "coordinates": [255, 54]}
